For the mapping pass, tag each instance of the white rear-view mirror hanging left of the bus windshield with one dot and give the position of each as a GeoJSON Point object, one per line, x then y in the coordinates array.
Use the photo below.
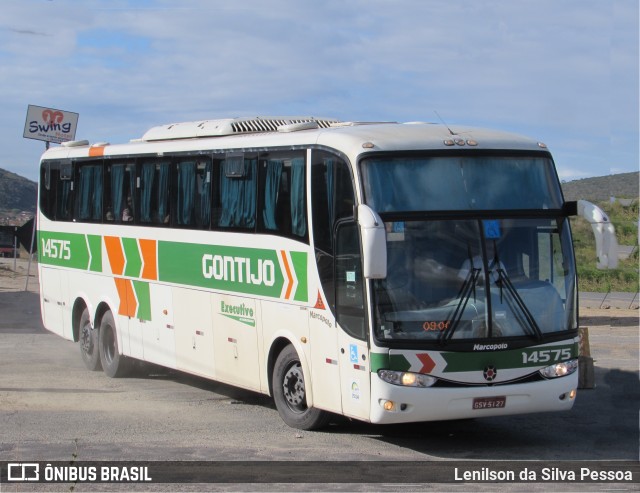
{"type": "Point", "coordinates": [374, 243]}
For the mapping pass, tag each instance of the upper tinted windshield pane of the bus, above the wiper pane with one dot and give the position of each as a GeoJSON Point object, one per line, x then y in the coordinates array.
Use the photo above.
{"type": "Point", "coordinates": [464, 182]}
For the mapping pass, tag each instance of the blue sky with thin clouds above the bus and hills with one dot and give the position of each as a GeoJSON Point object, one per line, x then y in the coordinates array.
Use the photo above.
{"type": "Point", "coordinates": [564, 72]}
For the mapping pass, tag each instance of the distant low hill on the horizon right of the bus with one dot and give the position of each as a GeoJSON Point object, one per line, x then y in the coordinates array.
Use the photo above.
{"type": "Point", "coordinates": [601, 188]}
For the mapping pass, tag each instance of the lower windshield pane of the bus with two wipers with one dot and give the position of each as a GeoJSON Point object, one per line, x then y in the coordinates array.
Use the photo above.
{"type": "Point", "coordinates": [474, 279]}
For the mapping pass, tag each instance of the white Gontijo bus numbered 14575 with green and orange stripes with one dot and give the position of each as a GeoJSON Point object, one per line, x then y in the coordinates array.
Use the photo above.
{"type": "Point", "coordinates": [382, 271]}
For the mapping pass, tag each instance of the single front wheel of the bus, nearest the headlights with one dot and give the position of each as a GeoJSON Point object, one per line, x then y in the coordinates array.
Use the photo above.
{"type": "Point", "coordinates": [289, 393]}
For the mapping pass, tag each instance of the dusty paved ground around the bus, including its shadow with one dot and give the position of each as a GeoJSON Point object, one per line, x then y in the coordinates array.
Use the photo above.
{"type": "Point", "coordinates": [51, 408]}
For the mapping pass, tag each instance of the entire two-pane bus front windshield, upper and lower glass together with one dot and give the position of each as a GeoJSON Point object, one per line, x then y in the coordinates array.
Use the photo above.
{"type": "Point", "coordinates": [471, 276]}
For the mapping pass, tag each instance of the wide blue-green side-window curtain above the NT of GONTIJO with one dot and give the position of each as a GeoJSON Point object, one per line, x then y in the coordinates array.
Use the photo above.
{"type": "Point", "coordinates": [238, 197]}
